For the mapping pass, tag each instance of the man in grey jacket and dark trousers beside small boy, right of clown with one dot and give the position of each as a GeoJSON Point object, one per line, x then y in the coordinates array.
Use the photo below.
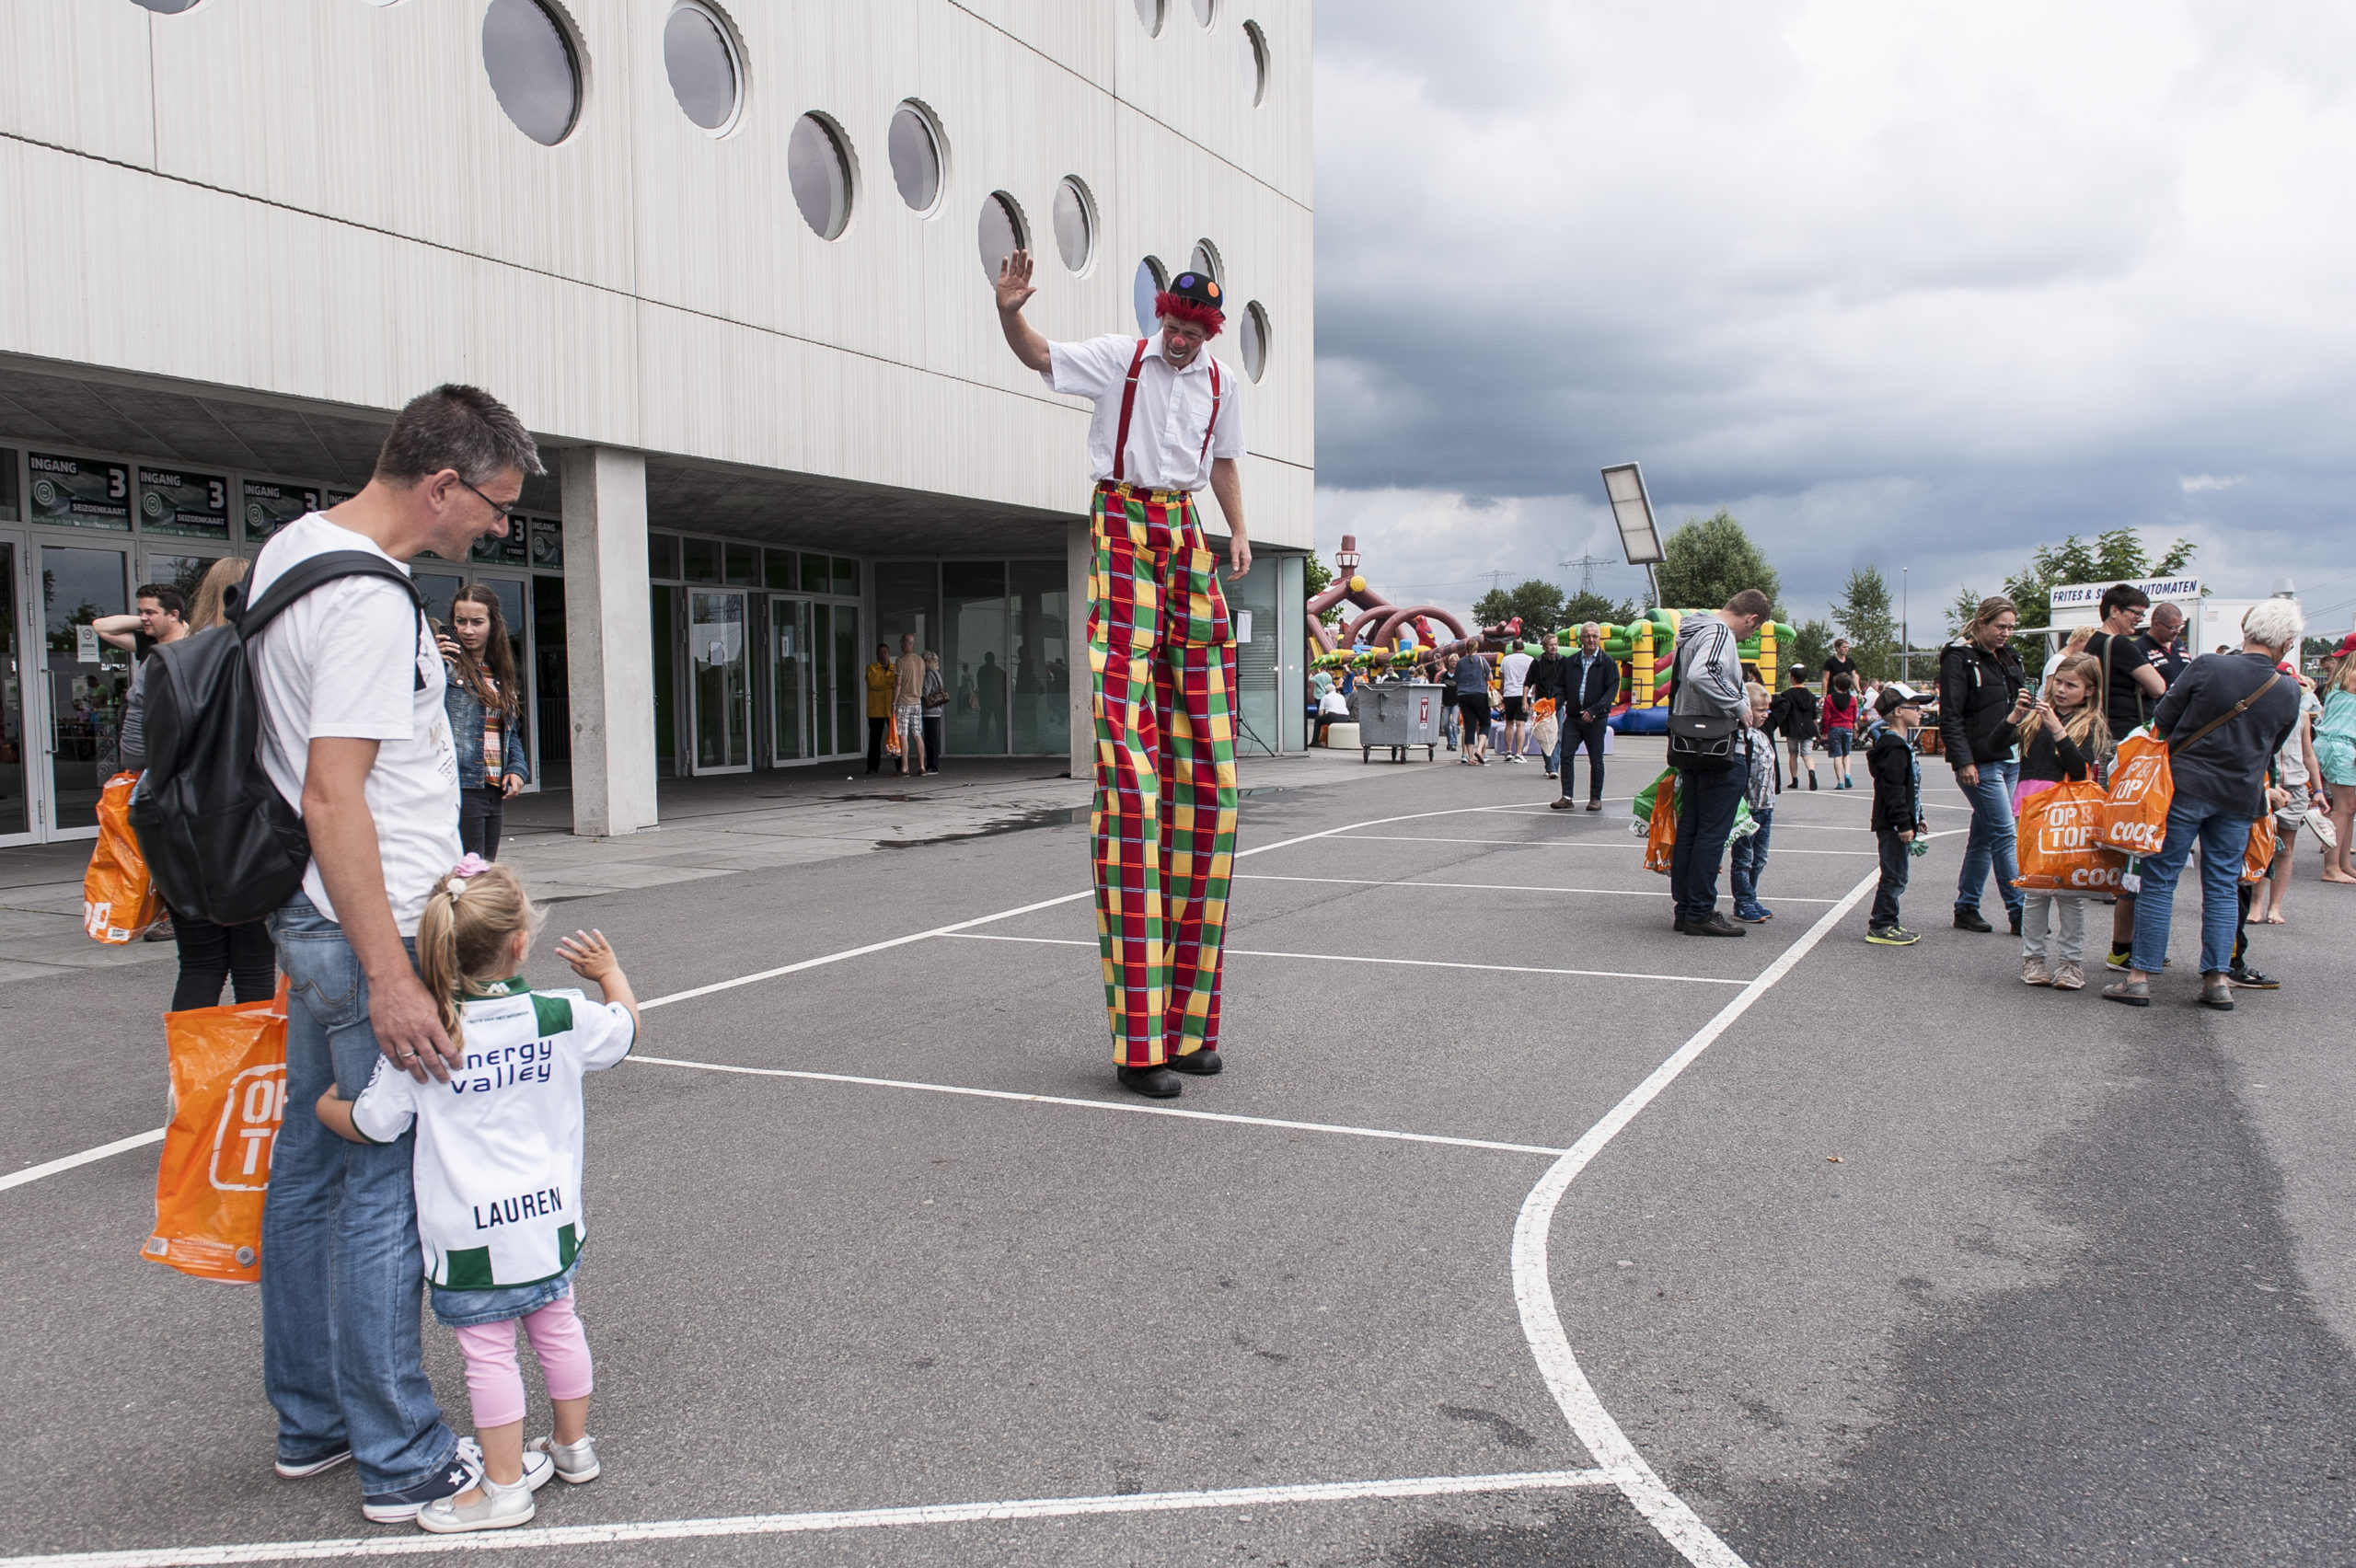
{"type": "Point", "coordinates": [1705, 745]}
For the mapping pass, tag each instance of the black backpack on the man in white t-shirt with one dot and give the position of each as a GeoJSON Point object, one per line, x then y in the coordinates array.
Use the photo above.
{"type": "Point", "coordinates": [220, 842]}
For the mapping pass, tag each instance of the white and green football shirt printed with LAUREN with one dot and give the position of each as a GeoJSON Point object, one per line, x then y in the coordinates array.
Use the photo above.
{"type": "Point", "coordinates": [498, 1162]}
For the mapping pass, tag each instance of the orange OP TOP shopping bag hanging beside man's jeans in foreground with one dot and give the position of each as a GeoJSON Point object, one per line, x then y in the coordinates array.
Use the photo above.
{"type": "Point", "coordinates": [230, 1089]}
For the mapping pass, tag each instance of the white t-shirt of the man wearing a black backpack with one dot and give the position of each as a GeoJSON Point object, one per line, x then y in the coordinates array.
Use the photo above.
{"type": "Point", "coordinates": [357, 660]}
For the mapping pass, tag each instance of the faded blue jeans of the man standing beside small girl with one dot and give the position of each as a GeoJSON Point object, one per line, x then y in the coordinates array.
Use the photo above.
{"type": "Point", "coordinates": [340, 1263]}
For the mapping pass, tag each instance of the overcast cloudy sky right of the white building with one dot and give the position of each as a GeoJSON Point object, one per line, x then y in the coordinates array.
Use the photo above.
{"type": "Point", "coordinates": [1917, 286]}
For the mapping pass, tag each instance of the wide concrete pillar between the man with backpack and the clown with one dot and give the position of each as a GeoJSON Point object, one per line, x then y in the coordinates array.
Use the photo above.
{"type": "Point", "coordinates": [609, 642]}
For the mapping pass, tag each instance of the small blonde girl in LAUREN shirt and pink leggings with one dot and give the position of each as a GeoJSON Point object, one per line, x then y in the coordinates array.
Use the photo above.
{"type": "Point", "coordinates": [498, 1171]}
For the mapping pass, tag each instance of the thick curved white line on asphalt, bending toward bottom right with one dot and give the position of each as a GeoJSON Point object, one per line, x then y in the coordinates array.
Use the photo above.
{"type": "Point", "coordinates": [1535, 1291]}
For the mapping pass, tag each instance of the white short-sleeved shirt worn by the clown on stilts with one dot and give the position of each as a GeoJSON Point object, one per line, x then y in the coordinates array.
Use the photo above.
{"type": "Point", "coordinates": [1170, 418]}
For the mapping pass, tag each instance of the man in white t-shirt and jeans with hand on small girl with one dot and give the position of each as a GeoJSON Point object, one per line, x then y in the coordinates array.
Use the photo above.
{"type": "Point", "coordinates": [352, 731]}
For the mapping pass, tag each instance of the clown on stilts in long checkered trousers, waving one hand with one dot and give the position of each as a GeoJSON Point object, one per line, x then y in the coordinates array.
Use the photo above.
{"type": "Point", "coordinates": [1163, 663]}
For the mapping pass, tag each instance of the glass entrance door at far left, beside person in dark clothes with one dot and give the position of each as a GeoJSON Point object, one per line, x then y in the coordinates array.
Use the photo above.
{"type": "Point", "coordinates": [86, 679]}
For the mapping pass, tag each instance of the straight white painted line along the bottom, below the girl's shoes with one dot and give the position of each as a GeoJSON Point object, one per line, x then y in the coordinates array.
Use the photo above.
{"type": "Point", "coordinates": [807, 1524]}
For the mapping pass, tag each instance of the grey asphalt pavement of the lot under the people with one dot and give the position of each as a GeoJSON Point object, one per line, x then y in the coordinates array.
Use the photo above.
{"type": "Point", "coordinates": [1912, 1265]}
